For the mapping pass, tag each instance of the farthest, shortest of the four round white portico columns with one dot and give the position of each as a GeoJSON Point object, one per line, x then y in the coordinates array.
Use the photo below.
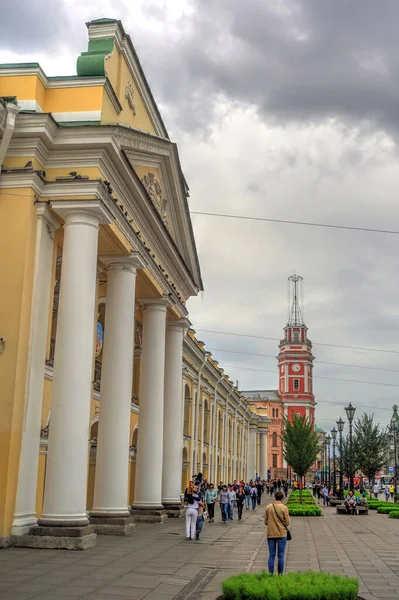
{"type": "Point", "coordinates": [172, 441]}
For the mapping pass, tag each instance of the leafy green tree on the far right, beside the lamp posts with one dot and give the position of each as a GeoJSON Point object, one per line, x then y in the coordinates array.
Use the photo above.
{"type": "Point", "coordinates": [370, 446]}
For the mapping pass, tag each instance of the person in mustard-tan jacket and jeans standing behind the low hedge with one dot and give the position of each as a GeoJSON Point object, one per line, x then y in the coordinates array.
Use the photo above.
{"type": "Point", "coordinates": [277, 521]}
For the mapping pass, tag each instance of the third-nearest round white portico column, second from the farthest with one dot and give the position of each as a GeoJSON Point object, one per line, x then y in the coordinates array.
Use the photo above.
{"type": "Point", "coordinates": [148, 486]}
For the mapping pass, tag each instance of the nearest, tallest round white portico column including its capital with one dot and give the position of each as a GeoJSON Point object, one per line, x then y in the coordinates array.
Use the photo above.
{"type": "Point", "coordinates": [66, 475]}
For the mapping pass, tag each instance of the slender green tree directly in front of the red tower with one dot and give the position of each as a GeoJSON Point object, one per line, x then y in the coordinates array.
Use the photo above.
{"type": "Point", "coordinates": [301, 445]}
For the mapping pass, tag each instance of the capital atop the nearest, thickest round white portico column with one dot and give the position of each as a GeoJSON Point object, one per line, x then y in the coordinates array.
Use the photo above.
{"type": "Point", "coordinates": [93, 212]}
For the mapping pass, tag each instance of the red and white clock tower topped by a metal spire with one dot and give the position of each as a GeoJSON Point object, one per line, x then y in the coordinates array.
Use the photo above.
{"type": "Point", "coordinates": [295, 359]}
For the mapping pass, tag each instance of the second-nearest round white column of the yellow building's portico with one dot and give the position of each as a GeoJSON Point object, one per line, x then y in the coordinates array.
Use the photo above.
{"type": "Point", "coordinates": [112, 462]}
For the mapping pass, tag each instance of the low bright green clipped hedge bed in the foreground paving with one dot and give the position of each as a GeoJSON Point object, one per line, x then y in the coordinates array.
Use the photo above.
{"type": "Point", "coordinates": [293, 586]}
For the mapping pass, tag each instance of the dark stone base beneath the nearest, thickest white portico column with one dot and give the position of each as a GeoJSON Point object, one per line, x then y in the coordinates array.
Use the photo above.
{"type": "Point", "coordinates": [57, 538]}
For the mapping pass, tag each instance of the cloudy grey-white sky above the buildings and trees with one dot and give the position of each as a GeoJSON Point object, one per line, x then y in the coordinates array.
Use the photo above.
{"type": "Point", "coordinates": [282, 109]}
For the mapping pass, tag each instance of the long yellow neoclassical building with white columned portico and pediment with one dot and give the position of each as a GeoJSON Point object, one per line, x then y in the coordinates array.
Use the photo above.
{"type": "Point", "coordinates": [108, 404]}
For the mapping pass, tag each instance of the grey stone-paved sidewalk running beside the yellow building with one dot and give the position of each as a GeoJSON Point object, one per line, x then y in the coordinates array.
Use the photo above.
{"type": "Point", "coordinates": [157, 563]}
